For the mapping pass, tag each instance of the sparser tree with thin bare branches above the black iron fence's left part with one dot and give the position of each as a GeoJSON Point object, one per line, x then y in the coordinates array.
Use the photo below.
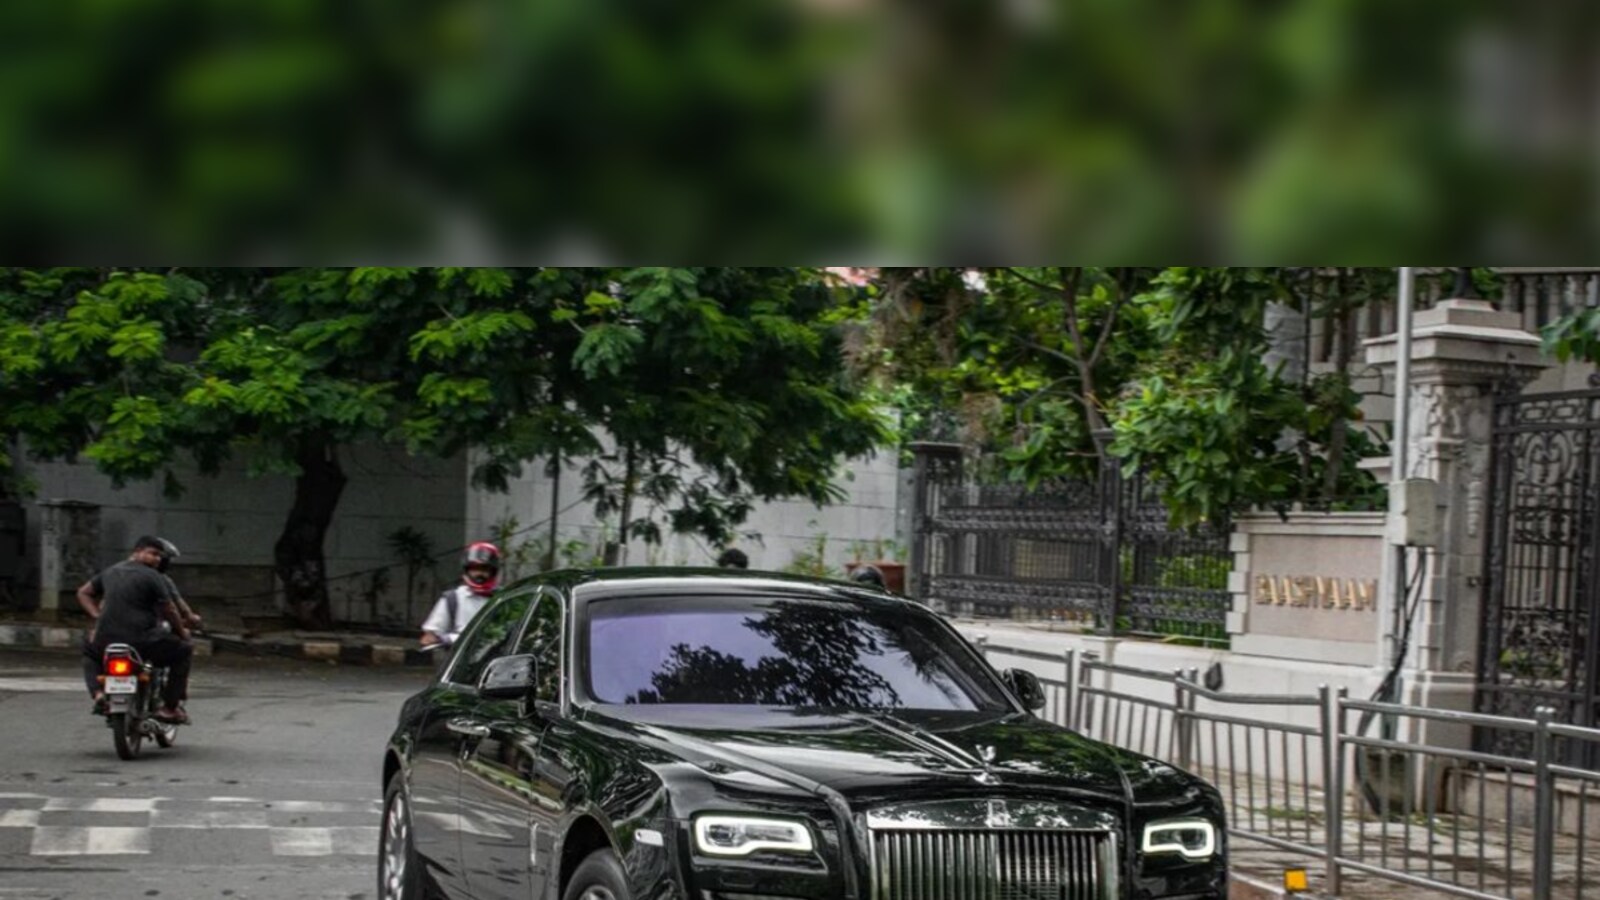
{"type": "Point", "coordinates": [1030, 361]}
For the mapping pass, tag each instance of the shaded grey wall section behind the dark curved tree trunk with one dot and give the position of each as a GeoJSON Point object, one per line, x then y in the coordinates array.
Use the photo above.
{"type": "Point", "coordinates": [226, 526]}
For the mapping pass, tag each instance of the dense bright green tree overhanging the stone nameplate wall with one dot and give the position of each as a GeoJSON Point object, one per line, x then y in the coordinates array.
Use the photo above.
{"type": "Point", "coordinates": [1214, 425]}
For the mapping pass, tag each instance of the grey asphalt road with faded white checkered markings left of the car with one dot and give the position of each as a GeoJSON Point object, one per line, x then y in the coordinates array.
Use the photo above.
{"type": "Point", "coordinates": [273, 794]}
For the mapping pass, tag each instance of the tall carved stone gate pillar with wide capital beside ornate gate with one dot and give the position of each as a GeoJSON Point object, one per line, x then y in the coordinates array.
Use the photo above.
{"type": "Point", "coordinates": [1463, 352]}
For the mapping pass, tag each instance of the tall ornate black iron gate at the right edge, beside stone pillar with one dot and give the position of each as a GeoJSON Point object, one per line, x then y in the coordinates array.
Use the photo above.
{"type": "Point", "coordinates": [1538, 641]}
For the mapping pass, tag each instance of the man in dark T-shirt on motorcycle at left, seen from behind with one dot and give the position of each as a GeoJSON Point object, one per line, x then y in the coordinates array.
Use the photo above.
{"type": "Point", "coordinates": [129, 603]}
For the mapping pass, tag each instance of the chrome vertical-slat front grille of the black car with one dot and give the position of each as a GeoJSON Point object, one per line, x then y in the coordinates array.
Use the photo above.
{"type": "Point", "coordinates": [993, 866]}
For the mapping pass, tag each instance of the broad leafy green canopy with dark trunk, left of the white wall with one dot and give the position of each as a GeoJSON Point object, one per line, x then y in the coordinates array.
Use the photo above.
{"type": "Point", "coordinates": [716, 387]}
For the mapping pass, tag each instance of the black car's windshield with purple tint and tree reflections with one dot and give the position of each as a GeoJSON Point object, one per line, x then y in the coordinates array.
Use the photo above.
{"type": "Point", "coordinates": [775, 653]}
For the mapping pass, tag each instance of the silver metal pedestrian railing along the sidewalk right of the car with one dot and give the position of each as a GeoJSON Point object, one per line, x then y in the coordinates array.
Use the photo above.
{"type": "Point", "coordinates": [1367, 790]}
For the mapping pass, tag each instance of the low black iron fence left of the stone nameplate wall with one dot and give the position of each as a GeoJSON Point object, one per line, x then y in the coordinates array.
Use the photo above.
{"type": "Point", "coordinates": [1098, 553]}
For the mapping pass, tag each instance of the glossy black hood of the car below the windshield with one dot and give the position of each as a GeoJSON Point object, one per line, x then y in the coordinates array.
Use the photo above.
{"type": "Point", "coordinates": [882, 755]}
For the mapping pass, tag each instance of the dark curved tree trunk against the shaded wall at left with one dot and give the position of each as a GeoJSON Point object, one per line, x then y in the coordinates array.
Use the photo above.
{"type": "Point", "coordinates": [298, 555]}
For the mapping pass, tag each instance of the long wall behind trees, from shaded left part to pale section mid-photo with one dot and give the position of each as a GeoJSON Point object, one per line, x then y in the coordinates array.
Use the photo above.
{"type": "Point", "coordinates": [226, 528]}
